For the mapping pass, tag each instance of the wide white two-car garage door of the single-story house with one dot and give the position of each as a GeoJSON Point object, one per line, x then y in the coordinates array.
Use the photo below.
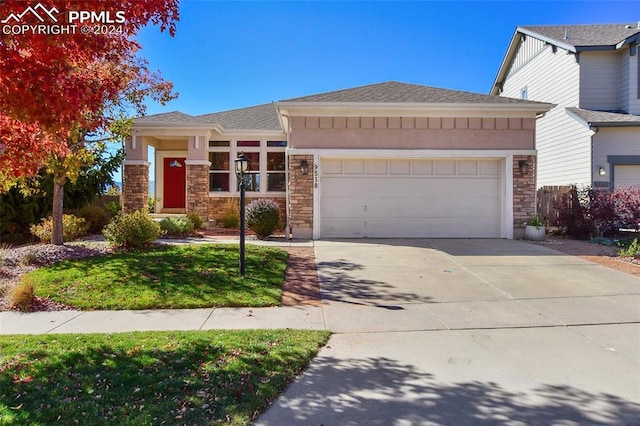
{"type": "Point", "coordinates": [410, 198]}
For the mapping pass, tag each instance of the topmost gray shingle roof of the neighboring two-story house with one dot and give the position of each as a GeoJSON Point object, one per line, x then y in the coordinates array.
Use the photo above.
{"type": "Point", "coordinates": [585, 35]}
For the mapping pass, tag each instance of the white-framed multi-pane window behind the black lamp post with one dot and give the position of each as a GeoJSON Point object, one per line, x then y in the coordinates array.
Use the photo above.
{"type": "Point", "coordinates": [267, 165]}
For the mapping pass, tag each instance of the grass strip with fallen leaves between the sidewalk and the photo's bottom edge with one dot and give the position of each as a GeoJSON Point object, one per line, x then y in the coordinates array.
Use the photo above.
{"type": "Point", "coordinates": [149, 378]}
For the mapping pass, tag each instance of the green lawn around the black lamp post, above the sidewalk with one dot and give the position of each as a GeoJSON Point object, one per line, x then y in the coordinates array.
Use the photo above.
{"type": "Point", "coordinates": [171, 276]}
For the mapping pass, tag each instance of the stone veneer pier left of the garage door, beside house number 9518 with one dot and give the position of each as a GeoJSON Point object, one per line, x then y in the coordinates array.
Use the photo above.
{"type": "Point", "coordinates": [300, 219]}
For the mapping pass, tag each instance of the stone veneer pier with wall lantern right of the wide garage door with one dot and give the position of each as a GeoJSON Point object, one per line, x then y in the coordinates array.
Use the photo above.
{"type": "Point", "coordinates": [524, 193]}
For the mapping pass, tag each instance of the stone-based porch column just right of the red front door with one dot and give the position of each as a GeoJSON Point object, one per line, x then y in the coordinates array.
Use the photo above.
{"type": "Point", "coordinates": [198, 176]}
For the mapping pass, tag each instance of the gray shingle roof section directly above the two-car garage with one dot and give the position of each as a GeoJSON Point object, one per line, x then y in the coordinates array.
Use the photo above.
{"type": "Point", "coordinates": [395, 92]}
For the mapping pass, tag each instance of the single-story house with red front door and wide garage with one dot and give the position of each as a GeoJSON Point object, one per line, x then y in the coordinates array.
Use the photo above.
{"type": "Point", "coordinates": [383, 160]}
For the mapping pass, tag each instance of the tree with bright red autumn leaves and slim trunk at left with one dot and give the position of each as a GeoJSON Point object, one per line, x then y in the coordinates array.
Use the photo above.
{"type": "Point", "coordinates": [56, 86]}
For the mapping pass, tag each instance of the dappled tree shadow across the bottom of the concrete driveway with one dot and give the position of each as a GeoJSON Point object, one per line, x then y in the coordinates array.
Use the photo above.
{"type": "Point", "coordinates": [383, 391]}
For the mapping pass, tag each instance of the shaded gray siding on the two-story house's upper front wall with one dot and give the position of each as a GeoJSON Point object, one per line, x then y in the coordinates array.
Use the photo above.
{"type": "Point", "coordinates": [600, 80]}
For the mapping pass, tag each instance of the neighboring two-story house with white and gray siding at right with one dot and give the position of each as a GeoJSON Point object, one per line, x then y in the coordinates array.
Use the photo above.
{"type": "Point", "coordinates": [591, 72]}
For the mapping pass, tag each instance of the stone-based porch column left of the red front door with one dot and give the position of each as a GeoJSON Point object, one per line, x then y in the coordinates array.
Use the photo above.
{"type": "Point", "coordinates": [135, 188]}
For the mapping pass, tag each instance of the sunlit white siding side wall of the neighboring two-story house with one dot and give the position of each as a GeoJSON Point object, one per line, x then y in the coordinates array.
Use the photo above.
{"type": "Point", "coordinates": [564, 146]}
